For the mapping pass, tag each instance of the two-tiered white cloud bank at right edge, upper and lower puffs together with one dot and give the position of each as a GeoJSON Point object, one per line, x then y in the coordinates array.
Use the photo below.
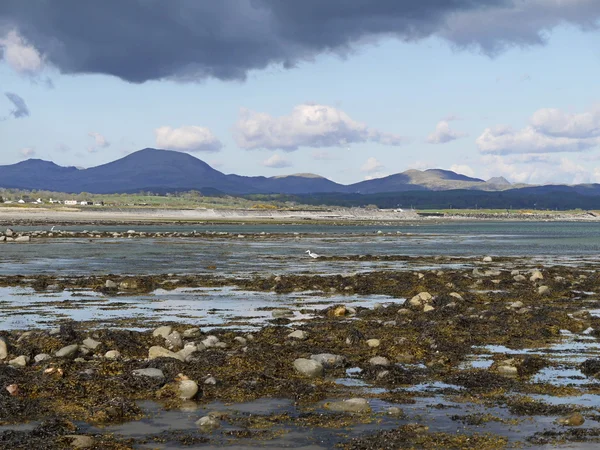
{"type": "Point", "coordinates": [550, 130]}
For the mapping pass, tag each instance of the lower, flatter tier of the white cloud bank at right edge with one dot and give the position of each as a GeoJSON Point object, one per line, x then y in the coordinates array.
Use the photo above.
{"type": "Point", "coordinates": [503, 140]}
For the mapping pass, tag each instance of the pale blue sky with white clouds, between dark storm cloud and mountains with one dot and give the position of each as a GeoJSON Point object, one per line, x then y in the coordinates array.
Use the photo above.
{"type": "Point", "coordinates": [377, 107]}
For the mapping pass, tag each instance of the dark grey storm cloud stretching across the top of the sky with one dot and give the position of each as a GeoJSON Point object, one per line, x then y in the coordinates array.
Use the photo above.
{"type": "Point", "coordinates": [189, 40]}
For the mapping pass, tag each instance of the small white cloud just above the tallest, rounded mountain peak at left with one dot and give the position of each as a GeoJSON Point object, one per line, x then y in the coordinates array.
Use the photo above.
{"type": "Point", "coordinates": [187, 139]}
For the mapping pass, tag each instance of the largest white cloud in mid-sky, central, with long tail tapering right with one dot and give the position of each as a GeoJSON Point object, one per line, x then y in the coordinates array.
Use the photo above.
{"type": "Point", "coordinates": [308, 125]}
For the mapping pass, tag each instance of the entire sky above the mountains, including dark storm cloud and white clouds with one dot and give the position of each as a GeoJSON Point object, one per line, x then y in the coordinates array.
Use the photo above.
{"type": "Point", "coordinates": [348, 89]}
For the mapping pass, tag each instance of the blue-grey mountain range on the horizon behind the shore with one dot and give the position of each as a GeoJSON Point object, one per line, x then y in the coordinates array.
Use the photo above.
{"type": "Point", "coordinates": [164, 170]}
